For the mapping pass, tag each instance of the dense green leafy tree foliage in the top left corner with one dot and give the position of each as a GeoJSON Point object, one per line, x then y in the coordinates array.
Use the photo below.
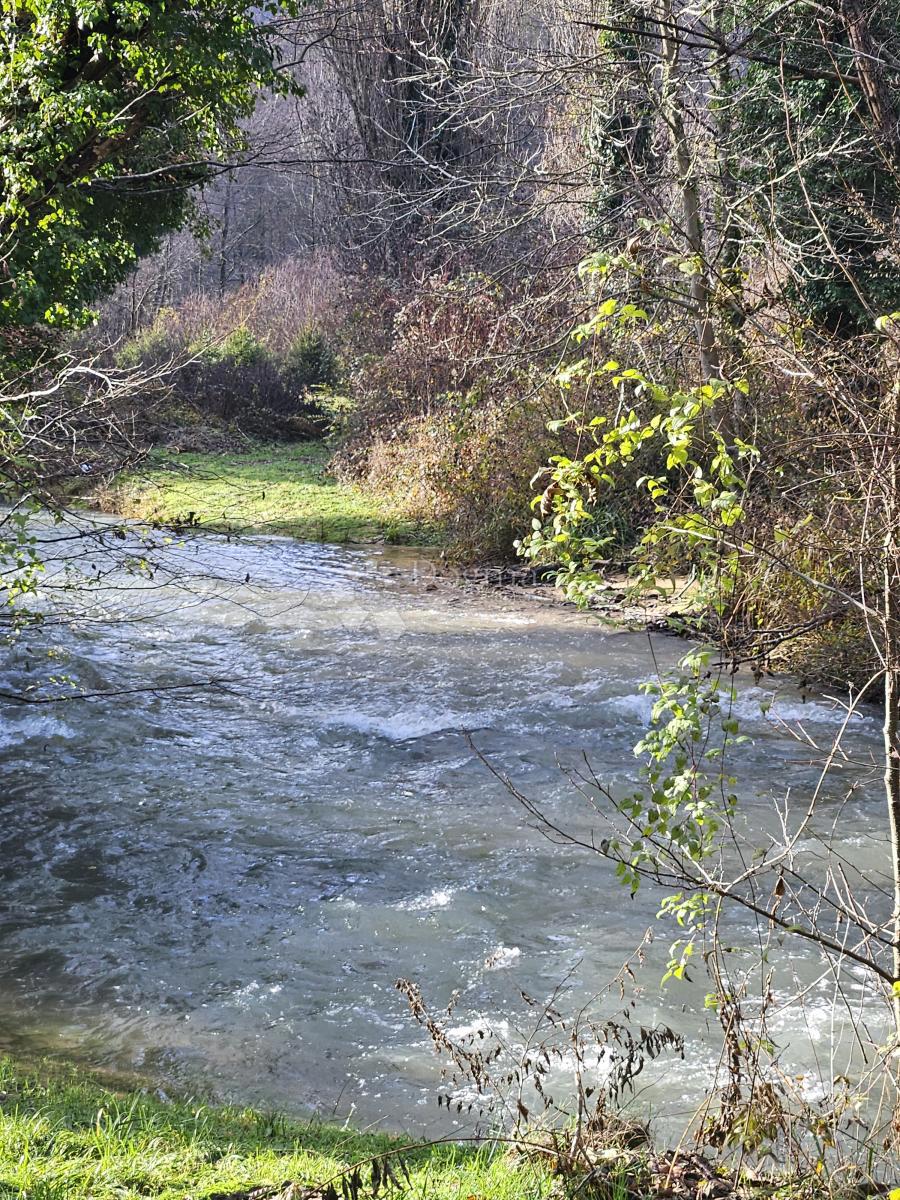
{"type": "Point", "coordinates": [112, 112]}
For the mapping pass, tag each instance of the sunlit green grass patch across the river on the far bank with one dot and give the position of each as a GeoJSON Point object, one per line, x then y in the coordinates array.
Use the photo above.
{"type": "Point", "coordinates": [269, 489]}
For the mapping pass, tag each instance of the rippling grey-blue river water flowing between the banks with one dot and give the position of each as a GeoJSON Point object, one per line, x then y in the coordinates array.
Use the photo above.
{"type": "Point", "coordinates": [218, 887]}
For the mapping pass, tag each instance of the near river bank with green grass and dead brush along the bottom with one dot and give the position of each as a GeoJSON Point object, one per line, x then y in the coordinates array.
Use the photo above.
{"type": "Point", "coordinates": [68, 1135]}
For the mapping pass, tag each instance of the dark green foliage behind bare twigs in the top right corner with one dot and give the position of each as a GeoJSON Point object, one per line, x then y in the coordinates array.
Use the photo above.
{"type": "Point", "coordinates": [838, 190]}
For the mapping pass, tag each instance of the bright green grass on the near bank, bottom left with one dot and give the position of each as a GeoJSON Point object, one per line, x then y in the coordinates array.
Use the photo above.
{"type": "Point", "coordinates": [67, 1136]}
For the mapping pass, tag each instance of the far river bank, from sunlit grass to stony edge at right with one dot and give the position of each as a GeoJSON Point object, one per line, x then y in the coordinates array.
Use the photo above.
{"type": "Point", "coordinates": [223, 483]}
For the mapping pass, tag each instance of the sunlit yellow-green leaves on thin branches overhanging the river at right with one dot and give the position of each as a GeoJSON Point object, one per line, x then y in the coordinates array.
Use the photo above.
{"type": "Point", "coordinates": [697, 490]}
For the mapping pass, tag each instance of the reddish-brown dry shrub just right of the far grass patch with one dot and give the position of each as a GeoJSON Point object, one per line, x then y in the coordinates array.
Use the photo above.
{"type": "Point", "coordinates": [451, 417]}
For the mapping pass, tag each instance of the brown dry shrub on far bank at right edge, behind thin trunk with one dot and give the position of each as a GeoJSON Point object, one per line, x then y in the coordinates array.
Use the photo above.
{"type": "Point", "coordinates": [806, 518]}
